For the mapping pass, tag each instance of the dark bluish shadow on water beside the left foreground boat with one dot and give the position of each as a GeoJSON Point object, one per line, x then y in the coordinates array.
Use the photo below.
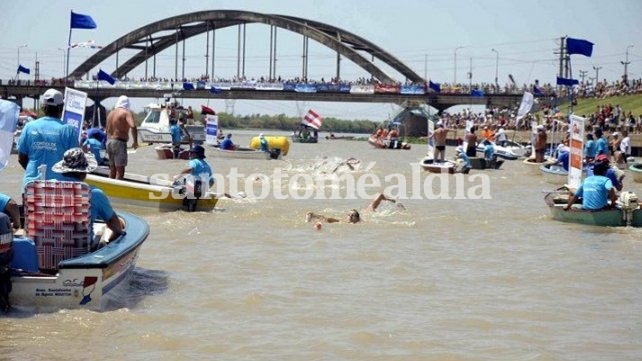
{"type": "Point", "coordinates": [141, 283]}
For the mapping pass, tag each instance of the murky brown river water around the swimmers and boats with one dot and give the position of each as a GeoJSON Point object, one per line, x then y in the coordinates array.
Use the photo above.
{"type": "Point", "coordinates": [442, 279]}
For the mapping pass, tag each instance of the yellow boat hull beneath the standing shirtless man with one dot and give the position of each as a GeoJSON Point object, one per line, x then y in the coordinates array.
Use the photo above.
{"type": "Point", "coordinates": [142, 191]}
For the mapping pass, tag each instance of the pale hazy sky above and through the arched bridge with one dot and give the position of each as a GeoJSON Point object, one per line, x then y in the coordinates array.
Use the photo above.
{"type": "Point", "coordinates": [441, 40]}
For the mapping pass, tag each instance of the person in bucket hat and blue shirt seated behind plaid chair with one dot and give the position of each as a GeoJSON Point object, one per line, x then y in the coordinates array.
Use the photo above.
{"type": "Point", "coordinates": [75, 165]}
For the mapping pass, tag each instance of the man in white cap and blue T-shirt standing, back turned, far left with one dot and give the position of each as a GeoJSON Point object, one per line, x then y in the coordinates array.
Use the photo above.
{"type": "Point", "coordinates": [45, 140]}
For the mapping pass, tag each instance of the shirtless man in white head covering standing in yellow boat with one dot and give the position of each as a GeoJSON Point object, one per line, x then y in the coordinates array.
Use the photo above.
{"type": "Point", "coordinates": [119, 121]}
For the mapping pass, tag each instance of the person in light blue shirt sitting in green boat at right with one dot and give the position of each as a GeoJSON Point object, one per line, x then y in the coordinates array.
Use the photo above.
{"type": "Point", "coordinates": [595, 191]}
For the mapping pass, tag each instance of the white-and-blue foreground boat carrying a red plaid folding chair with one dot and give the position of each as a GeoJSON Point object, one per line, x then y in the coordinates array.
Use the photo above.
{"type": "Point", "coordinates": [57, 265]}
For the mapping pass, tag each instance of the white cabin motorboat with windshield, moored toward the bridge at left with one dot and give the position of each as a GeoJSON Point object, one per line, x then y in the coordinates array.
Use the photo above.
{"type": "Point", "coordinates": [155, 127]}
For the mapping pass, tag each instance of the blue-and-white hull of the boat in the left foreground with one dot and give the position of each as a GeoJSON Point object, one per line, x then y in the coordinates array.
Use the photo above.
{"type": "Point", "coordinates": [86, 281]}
